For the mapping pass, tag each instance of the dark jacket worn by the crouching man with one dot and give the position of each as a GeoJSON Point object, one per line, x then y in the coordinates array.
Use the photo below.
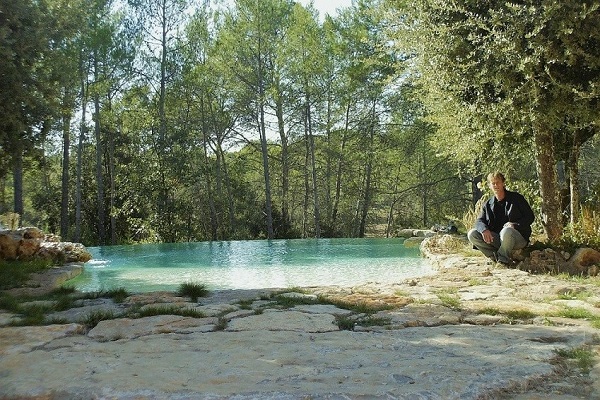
{"type": "Point", "coordinates": [513, 208]}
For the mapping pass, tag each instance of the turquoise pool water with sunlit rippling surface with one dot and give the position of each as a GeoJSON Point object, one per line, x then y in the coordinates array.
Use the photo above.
{"type": "Point", "coordinates": [251, 264]}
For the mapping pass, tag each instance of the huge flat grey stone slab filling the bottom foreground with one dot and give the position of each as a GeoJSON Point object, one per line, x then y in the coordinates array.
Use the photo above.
{"type": "Point", "coordinates": [449, 362]}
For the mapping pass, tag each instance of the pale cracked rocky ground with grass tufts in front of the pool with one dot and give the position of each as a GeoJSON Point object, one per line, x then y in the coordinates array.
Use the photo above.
{"type": "Point", "coordinates": [472, 330]}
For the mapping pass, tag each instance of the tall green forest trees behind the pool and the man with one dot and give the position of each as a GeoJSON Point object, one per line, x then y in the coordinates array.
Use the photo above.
{"type": "Point", "coordinates": [127, 121]}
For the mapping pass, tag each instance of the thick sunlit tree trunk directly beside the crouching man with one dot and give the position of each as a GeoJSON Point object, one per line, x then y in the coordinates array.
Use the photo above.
{"type": "Point", "coordinates": [548, 183]}
